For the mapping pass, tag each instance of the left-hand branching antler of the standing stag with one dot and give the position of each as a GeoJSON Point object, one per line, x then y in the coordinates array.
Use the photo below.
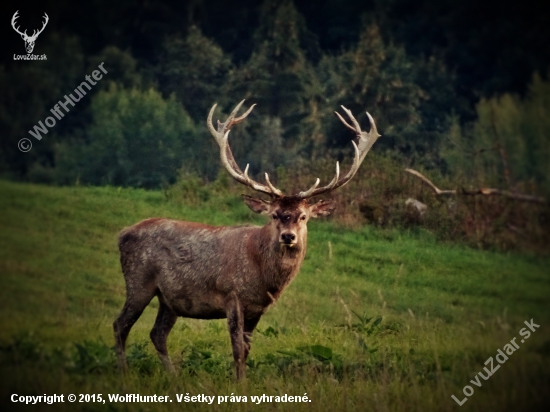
{"type": "Point", "coordinates": [228, 161]}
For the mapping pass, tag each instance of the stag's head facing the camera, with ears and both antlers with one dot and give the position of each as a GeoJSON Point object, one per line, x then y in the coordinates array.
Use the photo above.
{"type": "Point", "coordinates": [290, 214]}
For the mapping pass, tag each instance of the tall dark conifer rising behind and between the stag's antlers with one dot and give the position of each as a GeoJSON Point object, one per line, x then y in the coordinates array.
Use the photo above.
{"type": "Point", "coordinates": [280, 79]}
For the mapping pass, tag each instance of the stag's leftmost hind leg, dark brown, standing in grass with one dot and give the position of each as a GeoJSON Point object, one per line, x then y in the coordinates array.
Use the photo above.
{"type": "Point", "coordinates": [132, 310]}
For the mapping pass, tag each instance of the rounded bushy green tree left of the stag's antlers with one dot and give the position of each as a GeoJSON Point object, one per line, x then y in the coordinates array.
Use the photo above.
{"type": "Point", "coordinates": [136, 139]}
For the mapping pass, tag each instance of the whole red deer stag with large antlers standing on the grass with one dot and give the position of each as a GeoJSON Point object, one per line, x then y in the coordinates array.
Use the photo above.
{"type": "Point", "coordinates": [236, 272]}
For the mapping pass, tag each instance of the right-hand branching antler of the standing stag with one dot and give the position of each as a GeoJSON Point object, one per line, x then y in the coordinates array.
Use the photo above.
{"type": "Point", "coordinates": [365, 142]}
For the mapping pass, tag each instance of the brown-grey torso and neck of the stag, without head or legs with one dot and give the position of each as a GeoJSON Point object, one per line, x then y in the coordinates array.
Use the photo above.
{"type": "Point", "coordinates": [195, 269]}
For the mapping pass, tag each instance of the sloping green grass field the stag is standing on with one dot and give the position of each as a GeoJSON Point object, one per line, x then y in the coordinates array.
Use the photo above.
{"type": "Point", "coordinates": [376, 320]}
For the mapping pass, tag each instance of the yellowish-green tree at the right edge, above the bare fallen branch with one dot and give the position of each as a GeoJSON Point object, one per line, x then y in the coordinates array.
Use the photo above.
{"type": "Point", "coordinates": [509, 144]}
